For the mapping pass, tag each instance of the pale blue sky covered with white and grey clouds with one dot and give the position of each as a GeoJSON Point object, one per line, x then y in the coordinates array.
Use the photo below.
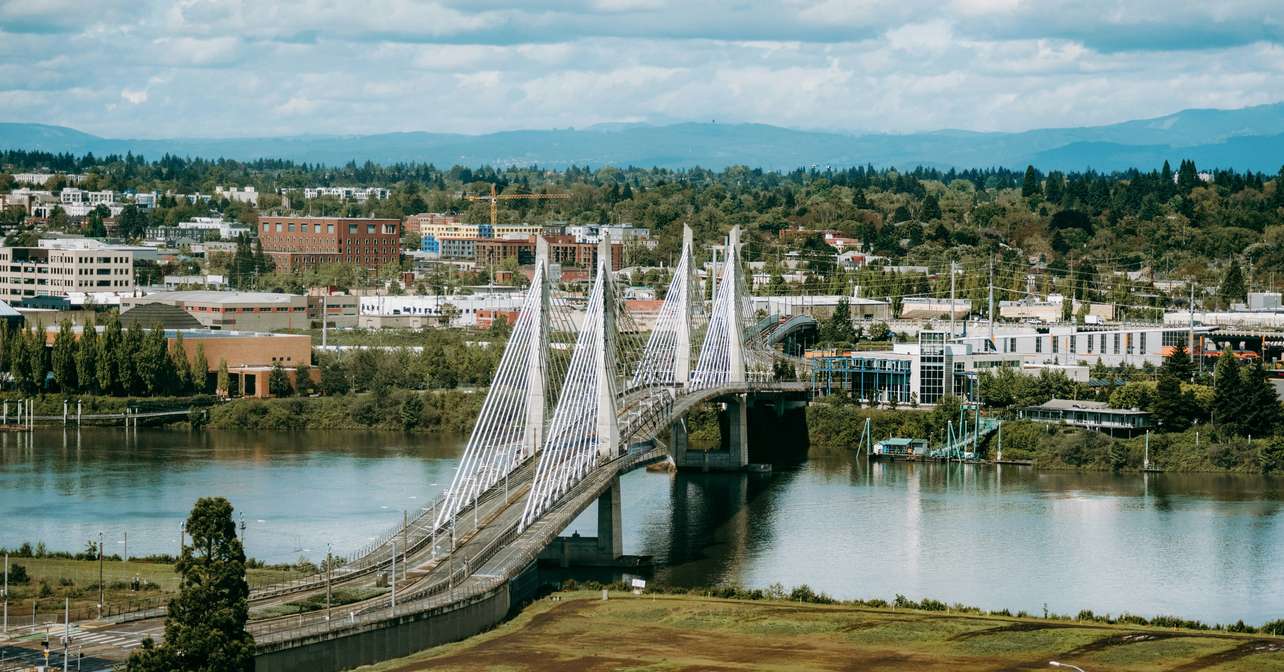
{"type": "Point", "coordinates": [150, 69]}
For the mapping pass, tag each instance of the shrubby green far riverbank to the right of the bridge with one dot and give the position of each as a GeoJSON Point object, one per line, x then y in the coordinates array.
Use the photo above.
{"type": "Point", "coordinates": [838, 427]}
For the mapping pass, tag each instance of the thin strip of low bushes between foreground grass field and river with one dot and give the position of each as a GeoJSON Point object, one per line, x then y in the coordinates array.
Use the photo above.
{"type": "Point", "coordinates": [804, 594]}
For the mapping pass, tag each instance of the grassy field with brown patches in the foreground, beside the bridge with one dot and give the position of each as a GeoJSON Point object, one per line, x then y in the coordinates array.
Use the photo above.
{"type": "Point", "coordinates": [580, 632]}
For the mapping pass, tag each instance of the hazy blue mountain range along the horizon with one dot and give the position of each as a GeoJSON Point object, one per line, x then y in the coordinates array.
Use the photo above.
{"type": "Point", "coordinates": [1244, 139]}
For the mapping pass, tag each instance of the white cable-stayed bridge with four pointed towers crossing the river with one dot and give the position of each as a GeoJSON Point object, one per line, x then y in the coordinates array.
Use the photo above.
{"type": "Point", "coordinates": [582, 395]}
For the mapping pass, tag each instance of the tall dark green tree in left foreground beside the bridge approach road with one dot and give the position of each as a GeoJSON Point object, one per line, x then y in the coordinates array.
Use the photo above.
{"type": "Point", "coordinates": [205, 630]}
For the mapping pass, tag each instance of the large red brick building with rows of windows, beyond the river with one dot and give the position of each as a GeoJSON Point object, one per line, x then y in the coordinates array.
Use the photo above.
{"type": "Point", "coordinates": [308, 242]}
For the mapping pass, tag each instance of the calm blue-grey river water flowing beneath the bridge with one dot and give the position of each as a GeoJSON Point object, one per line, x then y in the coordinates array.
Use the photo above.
{"type": "Point", "coordinates": [1200, 547]}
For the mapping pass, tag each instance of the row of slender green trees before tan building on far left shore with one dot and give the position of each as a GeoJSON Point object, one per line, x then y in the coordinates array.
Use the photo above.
{"type": "Point", "coordinates": [112, 362]}
